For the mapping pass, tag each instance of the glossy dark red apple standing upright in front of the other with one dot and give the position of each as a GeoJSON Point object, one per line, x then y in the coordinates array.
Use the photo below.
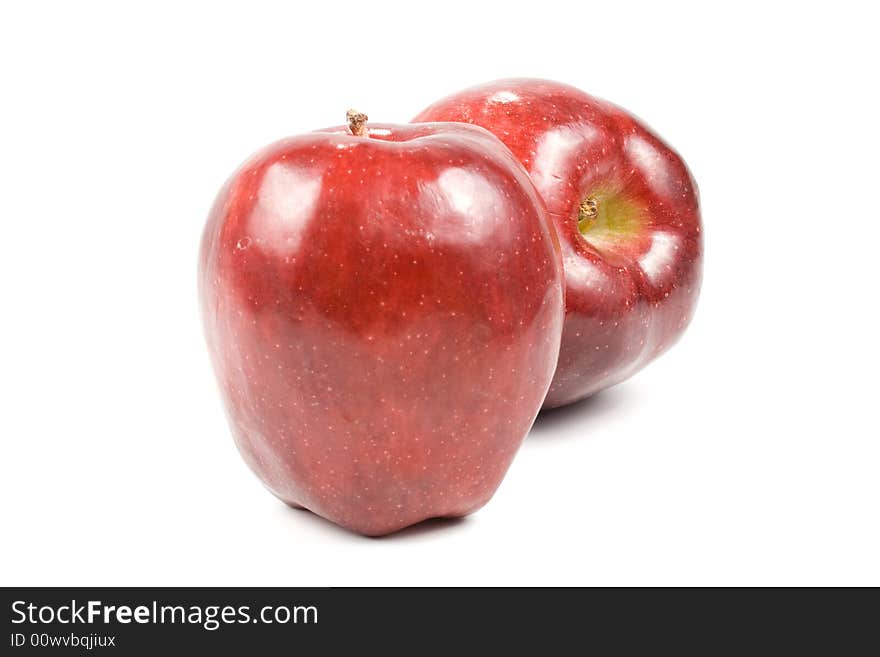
{"type": "Point", "coordinates": [383, 315]}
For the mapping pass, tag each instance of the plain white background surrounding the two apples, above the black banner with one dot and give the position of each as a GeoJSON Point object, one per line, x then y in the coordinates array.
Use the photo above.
{"type": "Point", "coordinates": [747, 455]}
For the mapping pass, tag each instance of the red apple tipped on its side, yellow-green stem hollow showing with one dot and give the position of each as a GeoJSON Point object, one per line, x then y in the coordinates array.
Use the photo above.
{"type": "Point", "coordinates": [633, 271]}
